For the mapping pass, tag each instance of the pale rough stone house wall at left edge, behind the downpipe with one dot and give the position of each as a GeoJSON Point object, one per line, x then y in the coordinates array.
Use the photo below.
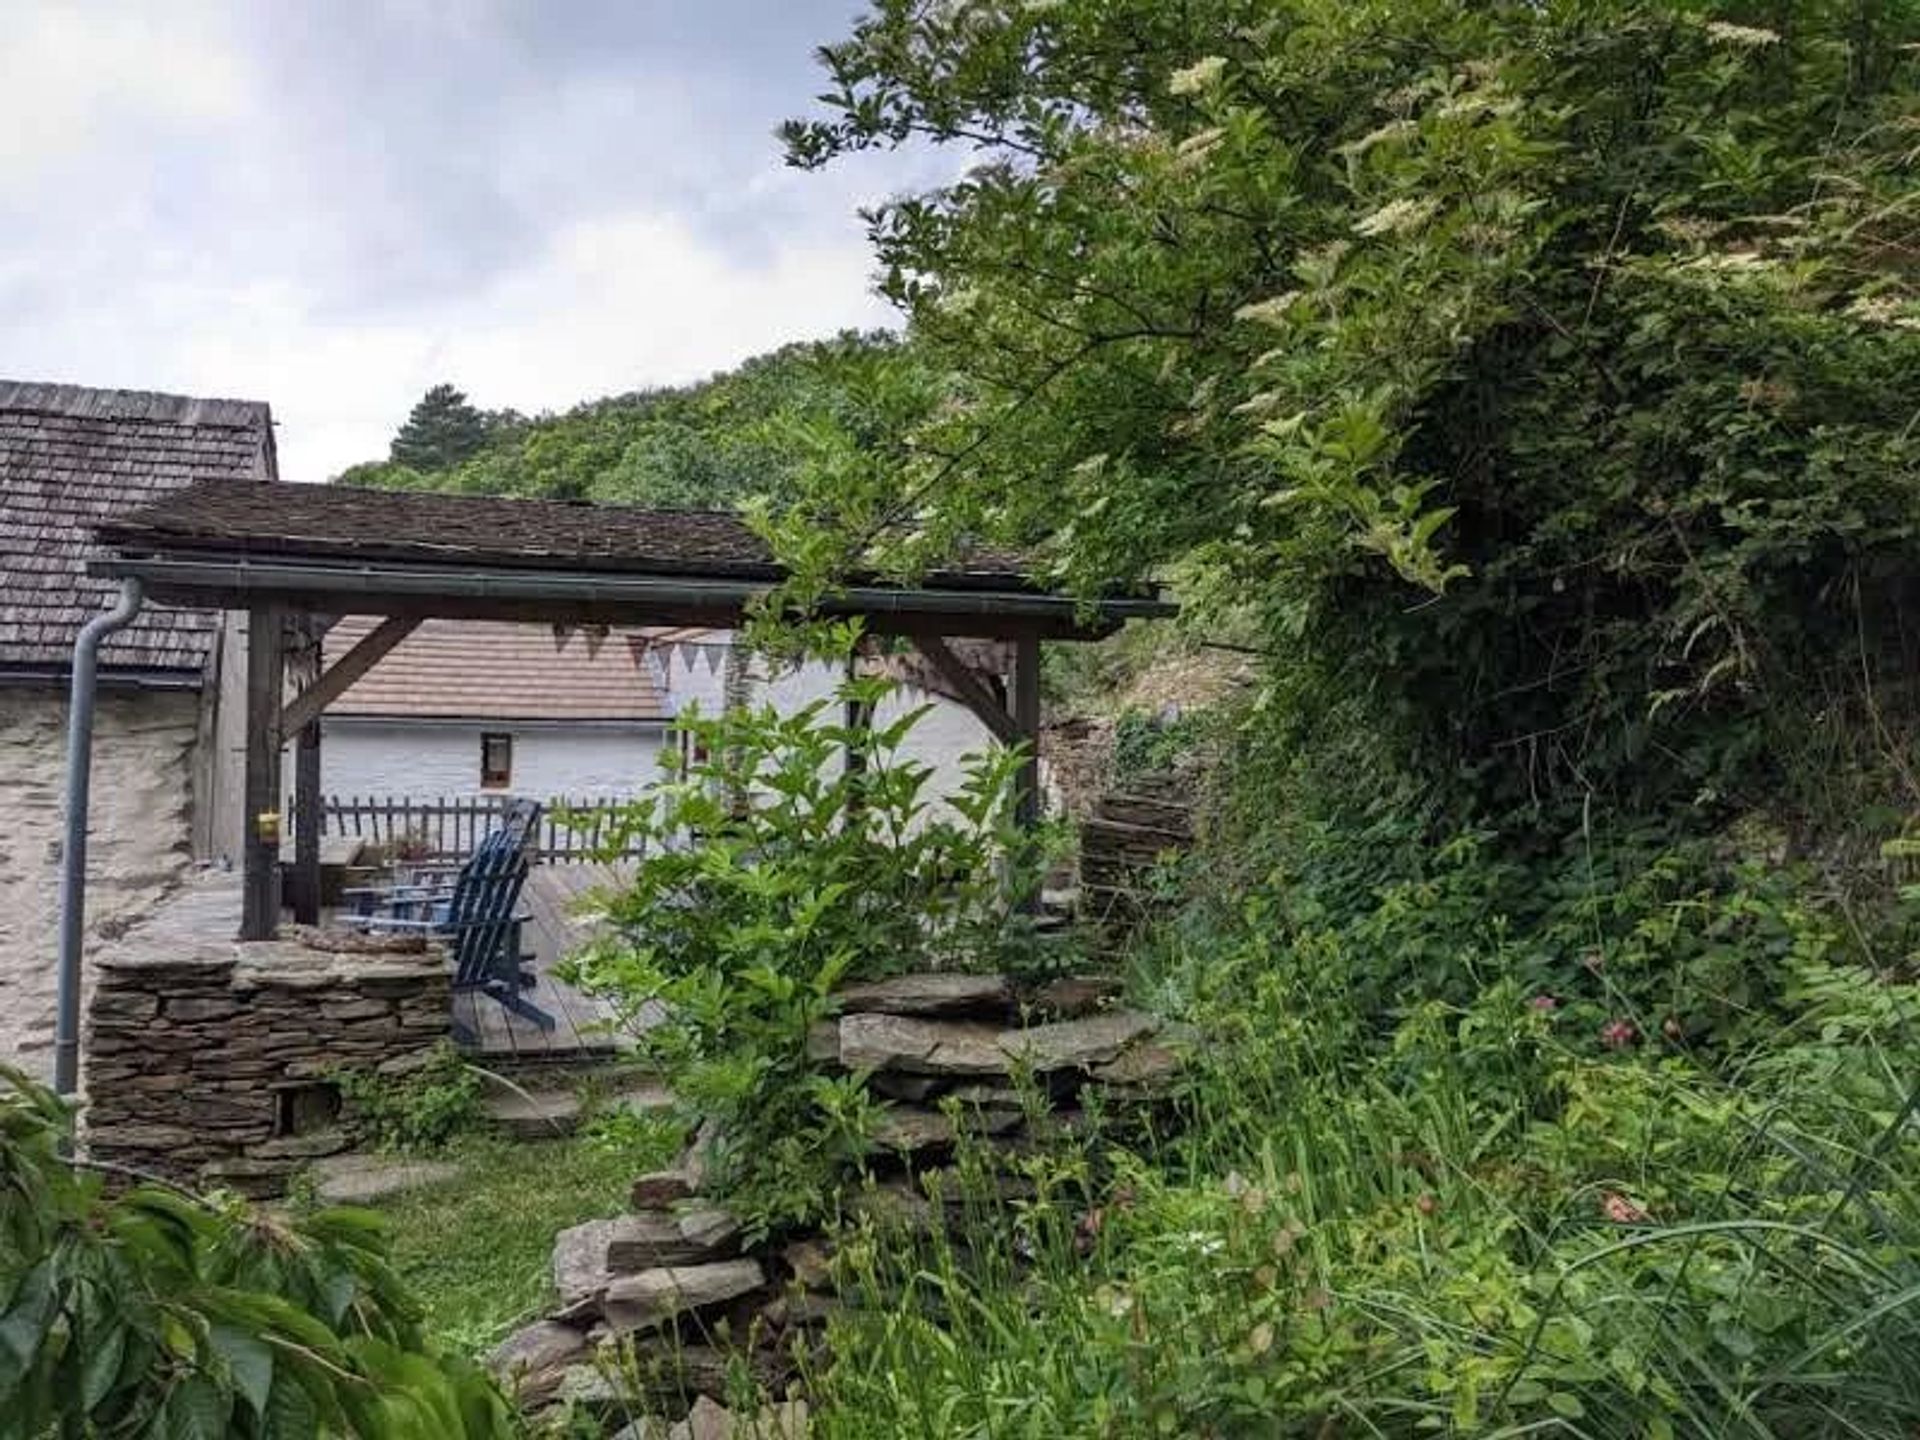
{"type": "Point", "coordinates": [141, 838]}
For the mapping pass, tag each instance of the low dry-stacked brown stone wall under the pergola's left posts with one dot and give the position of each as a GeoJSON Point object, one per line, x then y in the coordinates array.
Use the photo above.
{"type": "Point", "coordinates": [210, 1067]}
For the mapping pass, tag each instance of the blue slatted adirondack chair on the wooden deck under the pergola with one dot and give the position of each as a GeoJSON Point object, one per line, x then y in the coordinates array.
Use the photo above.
{"type": "Point", "coordinates": [477, 917]}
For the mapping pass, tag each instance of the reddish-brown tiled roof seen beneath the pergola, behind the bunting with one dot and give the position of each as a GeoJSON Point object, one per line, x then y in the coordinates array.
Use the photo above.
{"type": "Point", "coordinates": [498, 671]}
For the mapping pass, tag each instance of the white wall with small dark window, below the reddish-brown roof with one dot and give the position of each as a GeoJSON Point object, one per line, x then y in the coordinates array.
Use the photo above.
{"type": "Point", "coordinates": [425, 759]}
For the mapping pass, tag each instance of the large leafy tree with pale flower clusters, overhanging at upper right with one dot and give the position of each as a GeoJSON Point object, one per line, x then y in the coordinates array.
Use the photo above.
{"type": "Point", "coordinates": [1535, 372]}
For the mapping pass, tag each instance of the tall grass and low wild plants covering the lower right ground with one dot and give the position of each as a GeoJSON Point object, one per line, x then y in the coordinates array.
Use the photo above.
{"type": "Point", "coordinates": [1476, 1220]}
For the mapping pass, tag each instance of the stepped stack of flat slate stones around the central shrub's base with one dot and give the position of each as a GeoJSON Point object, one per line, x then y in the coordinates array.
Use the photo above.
{"type": "Point", "coordinates": [656, 1305]}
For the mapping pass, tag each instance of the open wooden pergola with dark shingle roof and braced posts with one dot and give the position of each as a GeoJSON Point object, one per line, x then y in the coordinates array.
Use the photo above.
{"type": "Point", "coordinates": [297, 558]}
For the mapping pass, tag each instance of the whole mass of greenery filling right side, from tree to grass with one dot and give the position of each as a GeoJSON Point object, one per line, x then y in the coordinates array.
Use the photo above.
{"type": "Point", "coordinates": [1527, 385]}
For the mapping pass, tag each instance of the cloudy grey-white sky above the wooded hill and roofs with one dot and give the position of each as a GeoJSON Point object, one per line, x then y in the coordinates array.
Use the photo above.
{"type": "Point", "coordinates": [333, 204]}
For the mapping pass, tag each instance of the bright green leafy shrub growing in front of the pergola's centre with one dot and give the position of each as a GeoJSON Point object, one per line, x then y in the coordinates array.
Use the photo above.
{"type": "Point", "coordinates": [784, 857]}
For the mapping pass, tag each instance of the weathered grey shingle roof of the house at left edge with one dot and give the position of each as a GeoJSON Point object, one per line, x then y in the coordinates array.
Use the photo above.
{"type": "Point", "coordinates": [72, 458]}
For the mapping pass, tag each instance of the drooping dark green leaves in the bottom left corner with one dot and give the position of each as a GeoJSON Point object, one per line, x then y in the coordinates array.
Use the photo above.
{"type": "Point", "coordinates": [151, 1312]}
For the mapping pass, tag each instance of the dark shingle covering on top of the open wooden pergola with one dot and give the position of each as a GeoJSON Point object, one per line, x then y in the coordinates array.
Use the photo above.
{"type": "Point", "coordinates": [427, 527]}
